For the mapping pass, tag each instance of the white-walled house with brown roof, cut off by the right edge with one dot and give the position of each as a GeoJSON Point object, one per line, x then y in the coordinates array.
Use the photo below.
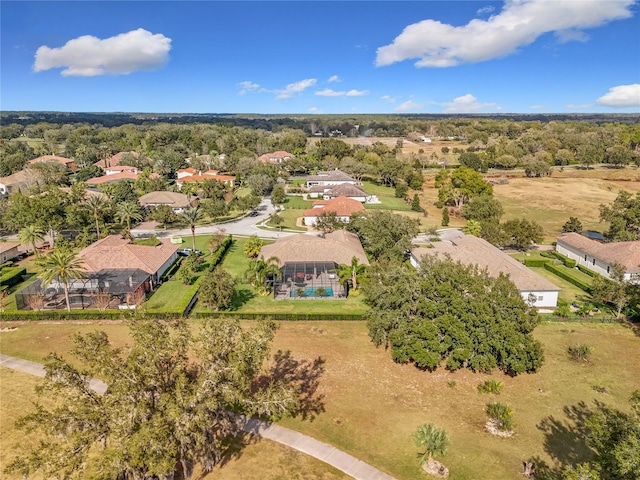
{"type": "Point", "coordinates": [601, 257]}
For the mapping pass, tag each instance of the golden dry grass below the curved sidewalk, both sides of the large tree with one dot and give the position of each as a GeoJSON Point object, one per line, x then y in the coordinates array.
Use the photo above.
{"type": "Point", "coordinates": [260, 459]}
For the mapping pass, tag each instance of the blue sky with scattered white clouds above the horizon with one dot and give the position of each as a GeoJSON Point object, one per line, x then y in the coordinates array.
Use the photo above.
{"type": "Point", "coordinates": [519, 56]}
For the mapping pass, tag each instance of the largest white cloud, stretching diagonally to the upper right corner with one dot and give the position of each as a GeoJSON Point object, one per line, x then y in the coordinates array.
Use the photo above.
{"type": "Point", "coordinates": [519, 23]}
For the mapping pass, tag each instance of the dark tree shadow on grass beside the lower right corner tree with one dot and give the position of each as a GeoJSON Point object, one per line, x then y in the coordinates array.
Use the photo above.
{"type": "Point", "coordinates": [565, 441]}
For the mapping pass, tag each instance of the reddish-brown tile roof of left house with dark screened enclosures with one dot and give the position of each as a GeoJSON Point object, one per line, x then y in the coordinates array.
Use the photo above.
{"type": "Point", "coordinates": [115, 252]}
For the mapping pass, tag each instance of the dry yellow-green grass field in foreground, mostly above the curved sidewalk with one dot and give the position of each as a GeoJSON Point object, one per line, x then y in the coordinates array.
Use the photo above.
{"type": "Point", "coordinates": [372, 405]}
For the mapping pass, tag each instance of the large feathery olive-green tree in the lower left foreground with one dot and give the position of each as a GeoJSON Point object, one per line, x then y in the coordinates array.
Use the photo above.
{"type": "Point", "coordinates": [172, 401]}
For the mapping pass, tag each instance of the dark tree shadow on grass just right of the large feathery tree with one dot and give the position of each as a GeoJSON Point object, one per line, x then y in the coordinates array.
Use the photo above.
{"type": "Point", "coordinates": [304, 375]}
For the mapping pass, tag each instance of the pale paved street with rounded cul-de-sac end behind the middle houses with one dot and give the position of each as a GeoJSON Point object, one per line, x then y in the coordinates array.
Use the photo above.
{"type": "Point", "coordinates": [244, 226]}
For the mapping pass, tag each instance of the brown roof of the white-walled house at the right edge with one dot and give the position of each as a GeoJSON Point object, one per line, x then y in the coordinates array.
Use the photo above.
{"type": "Point", "coordinates": [626, 254]}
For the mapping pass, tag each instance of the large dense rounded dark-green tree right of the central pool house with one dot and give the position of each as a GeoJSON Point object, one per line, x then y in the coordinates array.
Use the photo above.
{"type": "Point", "coordinates": [449, 314]}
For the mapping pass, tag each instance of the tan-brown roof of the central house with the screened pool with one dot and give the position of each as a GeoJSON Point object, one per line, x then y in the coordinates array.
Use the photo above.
{"type": "Point", "coordinates": [339, 247]}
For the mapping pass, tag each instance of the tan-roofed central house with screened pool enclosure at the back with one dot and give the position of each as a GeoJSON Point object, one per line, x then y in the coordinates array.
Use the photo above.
{"type": "Point", "coordinates": [308, 264]}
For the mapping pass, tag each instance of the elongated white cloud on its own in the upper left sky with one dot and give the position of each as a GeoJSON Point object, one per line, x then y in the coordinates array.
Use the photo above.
{"type": "Point", "coordinates": [122, 54]}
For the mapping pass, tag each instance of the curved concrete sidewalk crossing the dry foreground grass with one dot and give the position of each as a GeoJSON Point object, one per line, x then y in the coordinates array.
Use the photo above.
{"type": "Point", "coordinates": [303, 443]}
